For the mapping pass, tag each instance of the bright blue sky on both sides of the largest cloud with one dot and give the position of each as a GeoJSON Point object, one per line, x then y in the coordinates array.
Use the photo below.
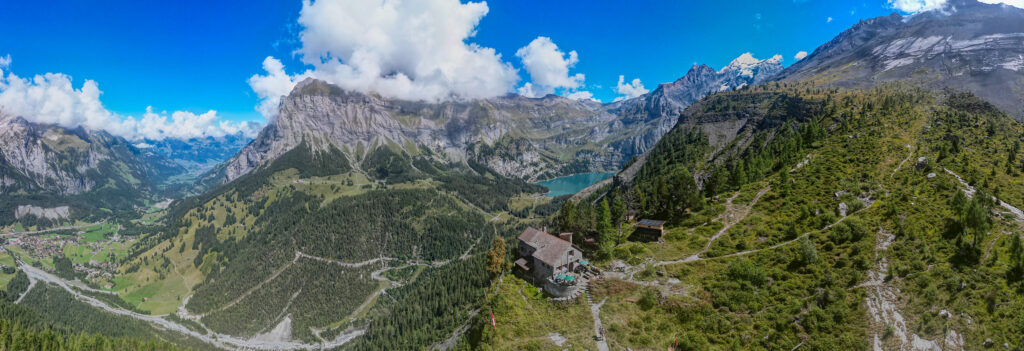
{"type": "Point", "coordinates": [198, 56]}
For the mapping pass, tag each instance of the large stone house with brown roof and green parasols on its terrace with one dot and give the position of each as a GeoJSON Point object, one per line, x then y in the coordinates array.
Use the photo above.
{"type": "Point", "coordinates": [549, 261]}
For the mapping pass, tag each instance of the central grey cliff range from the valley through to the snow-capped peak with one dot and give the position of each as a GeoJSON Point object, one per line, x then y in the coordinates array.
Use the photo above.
{"type": "Point", "coordinates": [522, 138]}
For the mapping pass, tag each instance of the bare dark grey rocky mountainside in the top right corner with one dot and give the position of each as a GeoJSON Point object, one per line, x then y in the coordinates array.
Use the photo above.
{"type": "Point", "coordinates": [968, 47]}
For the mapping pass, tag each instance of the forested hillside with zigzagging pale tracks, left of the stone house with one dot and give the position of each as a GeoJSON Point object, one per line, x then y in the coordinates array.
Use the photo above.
{"type": "Point", "coordinates": [315, 248]}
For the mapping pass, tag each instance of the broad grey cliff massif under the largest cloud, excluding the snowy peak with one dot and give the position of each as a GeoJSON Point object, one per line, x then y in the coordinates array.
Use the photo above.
{"type": "Point", "coordinates": [544, 133]}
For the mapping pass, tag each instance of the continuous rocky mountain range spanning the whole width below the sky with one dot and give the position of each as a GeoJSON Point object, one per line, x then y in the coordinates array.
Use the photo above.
{"type": "Point", "coordinates": [970, 47]}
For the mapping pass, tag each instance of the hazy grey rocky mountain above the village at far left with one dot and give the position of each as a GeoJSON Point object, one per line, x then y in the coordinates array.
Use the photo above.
{"type": "Point", "coordinates": [51, 165]}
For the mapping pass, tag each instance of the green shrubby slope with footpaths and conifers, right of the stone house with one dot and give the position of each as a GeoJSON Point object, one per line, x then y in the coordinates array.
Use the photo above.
{"type": "Point", "coordinates": [819, 218]}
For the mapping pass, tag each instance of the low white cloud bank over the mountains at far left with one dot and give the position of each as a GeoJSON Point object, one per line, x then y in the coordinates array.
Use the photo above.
{"type": "Point", "coordinates": [52, 99]}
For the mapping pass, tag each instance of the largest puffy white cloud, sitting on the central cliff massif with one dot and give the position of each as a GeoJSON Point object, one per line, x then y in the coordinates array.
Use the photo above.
{"type": "Point", "coordinates": [406, 50]}
